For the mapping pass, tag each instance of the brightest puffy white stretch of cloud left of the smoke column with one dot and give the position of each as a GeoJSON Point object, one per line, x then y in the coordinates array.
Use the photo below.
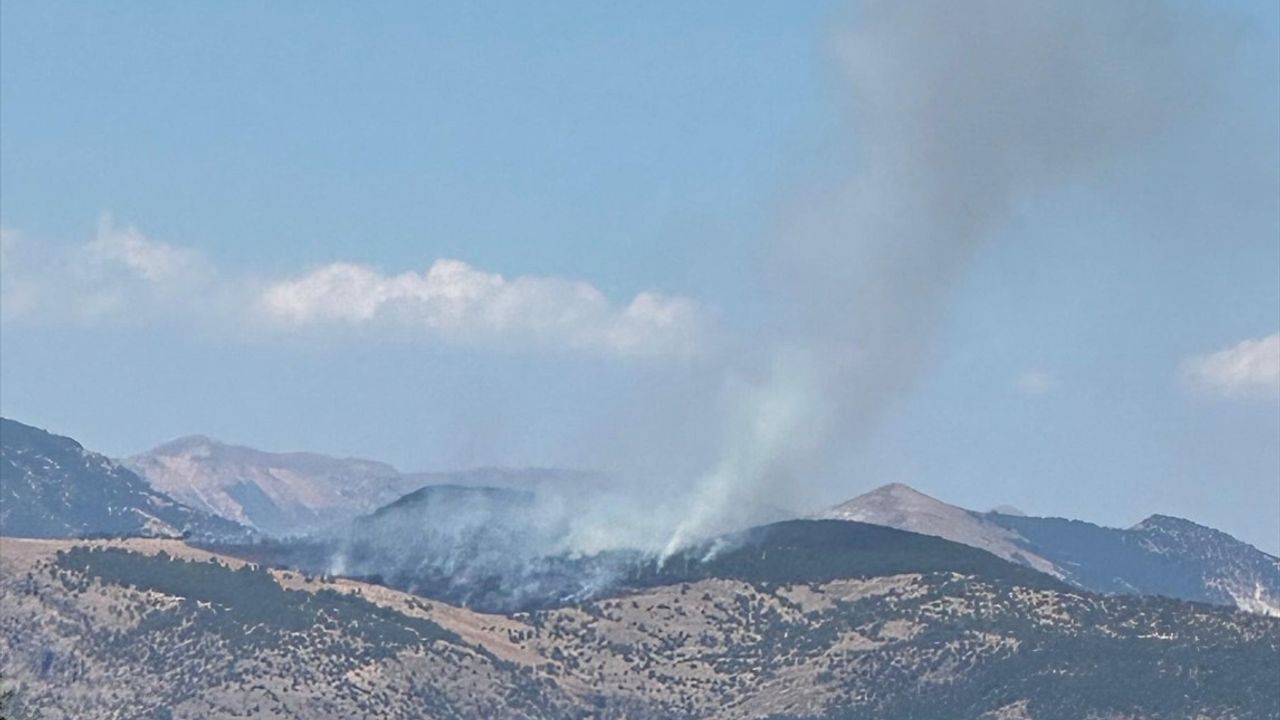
{"type": "Point", "coordinates": [459, 303]}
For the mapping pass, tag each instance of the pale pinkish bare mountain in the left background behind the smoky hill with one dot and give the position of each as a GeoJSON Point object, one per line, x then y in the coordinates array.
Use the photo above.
{"type": "Point", "coordinates": [287, 494]}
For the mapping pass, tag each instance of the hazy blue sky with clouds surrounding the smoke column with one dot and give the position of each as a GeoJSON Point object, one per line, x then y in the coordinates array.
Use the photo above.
{"type": "Point", "coordinates": [616, 185]}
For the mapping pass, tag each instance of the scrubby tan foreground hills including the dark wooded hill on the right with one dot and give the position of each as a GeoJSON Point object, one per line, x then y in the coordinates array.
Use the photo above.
{"type": "Point", "coordinates": [796, 621]}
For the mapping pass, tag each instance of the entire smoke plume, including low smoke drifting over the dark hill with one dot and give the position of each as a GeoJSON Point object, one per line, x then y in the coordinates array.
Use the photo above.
{"type": "Point", "coordinates": [959, 115]}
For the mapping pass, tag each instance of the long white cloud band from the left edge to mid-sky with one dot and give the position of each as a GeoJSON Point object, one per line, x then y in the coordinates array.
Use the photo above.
{"type": "Point", "coordinates": [122, 276]}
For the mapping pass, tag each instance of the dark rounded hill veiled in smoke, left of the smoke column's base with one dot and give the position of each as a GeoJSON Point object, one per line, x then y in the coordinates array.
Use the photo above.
{"type": "Point", "coordinates": [482, 548]}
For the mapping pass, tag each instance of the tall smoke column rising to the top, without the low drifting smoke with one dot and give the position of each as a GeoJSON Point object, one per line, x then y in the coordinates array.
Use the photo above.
{"type": "Point", "coordinates": [962, 111]}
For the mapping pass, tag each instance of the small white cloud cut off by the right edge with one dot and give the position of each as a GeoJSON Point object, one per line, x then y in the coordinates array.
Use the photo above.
{"type": "Point", "coordinates": [1249, 370]}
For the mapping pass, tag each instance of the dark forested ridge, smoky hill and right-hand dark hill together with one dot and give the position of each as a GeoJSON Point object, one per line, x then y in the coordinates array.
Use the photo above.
{"type": "Point", "coordinates": [499, 552]}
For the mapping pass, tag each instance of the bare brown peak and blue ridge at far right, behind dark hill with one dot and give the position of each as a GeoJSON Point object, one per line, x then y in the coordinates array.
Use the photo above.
{"type": "Point", "coordinates": [1162, 555]}
